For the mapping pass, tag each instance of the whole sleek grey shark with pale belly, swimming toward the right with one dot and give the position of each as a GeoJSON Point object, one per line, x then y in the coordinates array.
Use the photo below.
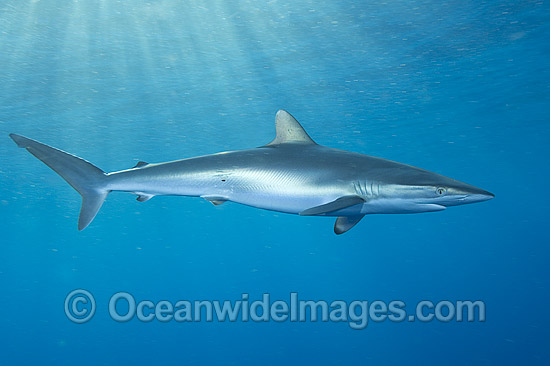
{"type": "Point", "coordinates": [291, 174]}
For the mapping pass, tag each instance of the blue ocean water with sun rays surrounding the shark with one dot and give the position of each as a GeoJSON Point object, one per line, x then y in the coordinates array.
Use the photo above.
{"type": "Point", "coordinates": [461, 88]}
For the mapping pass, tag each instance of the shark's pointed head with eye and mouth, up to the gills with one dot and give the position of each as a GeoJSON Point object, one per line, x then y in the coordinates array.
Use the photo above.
{"type": "Point", "coordinates": [411, 189]}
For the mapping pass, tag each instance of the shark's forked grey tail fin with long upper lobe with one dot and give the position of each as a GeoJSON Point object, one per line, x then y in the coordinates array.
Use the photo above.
{"type": "Point", "coordinates": [86, 178]}
